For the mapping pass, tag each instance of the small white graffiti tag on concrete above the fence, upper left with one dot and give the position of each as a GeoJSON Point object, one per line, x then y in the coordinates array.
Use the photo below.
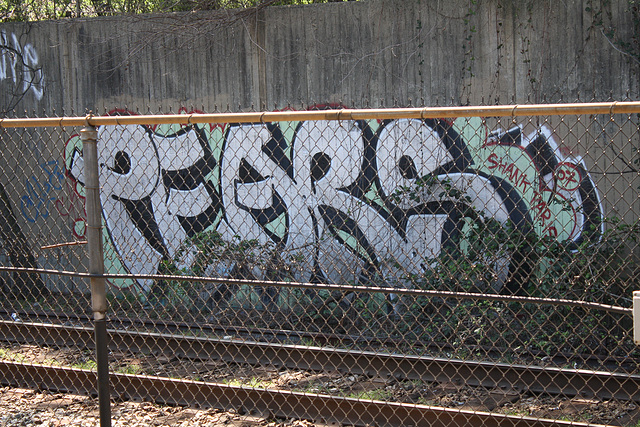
{"type": "Point", "coordinates": [19, 64]}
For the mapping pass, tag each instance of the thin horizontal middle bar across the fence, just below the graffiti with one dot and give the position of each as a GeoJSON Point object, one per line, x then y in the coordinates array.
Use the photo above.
{"type": "Point", "coordinates": [343, 288]}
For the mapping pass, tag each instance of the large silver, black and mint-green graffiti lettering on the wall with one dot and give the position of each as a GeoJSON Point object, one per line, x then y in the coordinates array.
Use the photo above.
{"type": "Point", "coordinates": [346, 199]}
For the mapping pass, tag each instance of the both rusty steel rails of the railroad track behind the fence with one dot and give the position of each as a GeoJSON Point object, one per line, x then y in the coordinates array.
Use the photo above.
{"type": "Point", "coordinates": [519, 378]}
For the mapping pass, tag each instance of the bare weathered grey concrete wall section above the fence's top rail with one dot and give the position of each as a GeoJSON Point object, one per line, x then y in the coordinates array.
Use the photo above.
{"type": "Point", "coordinates": [358, 53]}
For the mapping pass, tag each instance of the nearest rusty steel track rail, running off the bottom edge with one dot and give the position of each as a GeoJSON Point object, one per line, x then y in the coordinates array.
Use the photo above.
{"type": "Point", "coordinates": [258, 401]}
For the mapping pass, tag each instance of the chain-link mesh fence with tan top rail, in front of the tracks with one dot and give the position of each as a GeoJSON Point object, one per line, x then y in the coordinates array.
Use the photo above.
{"type": "Point", "coordinates": [409, 266]}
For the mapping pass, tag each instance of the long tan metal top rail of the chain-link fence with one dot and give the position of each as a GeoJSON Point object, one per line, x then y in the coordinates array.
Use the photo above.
{"type": "Point", "coordinates": [609, 108]}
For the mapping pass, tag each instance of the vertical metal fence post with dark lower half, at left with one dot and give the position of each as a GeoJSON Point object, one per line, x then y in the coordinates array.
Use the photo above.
{"type": "Point", "coordinates": [89, 137]}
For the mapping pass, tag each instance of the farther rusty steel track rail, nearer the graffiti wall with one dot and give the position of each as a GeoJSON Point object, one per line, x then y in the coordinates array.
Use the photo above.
{"type": "Point", "coordinates": [557, 381]}
